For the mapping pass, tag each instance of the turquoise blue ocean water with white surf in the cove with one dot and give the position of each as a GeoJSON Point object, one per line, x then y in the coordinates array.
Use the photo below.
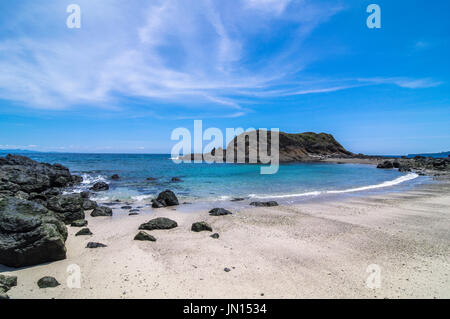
{"type": "Point", "coordinates": [222, 182]}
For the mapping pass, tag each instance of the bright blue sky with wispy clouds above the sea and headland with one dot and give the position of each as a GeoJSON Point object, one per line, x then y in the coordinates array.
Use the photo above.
{"type": "Point", "coordinates": [136, 70]}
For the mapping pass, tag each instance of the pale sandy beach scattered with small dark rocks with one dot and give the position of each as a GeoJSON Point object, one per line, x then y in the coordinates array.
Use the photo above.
{"type": "Point", "coordinates": [312, 250]}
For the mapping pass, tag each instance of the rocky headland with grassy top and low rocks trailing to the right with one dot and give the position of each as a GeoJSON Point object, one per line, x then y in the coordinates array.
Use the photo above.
{"type": "Point", "coordinates": [323, 147]}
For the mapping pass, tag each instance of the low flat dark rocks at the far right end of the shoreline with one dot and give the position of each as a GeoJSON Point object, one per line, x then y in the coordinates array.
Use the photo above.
{"type": "Point", "coordinates": [419, 164]}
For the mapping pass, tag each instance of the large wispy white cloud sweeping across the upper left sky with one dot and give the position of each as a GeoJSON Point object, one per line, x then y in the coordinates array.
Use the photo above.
{"type": "Point", "coordinates": [187, 52]}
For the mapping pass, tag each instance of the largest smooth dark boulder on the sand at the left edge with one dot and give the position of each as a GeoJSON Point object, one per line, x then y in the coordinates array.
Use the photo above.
{"type": "Point", "coordinates": [30, 234]}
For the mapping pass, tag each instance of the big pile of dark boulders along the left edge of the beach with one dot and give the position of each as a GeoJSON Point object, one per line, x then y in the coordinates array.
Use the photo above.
{"type": "Point", "coordinates": [34, 211]}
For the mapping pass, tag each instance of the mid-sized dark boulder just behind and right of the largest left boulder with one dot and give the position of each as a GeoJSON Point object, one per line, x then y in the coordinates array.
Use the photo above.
{"type": "Point", "coordinates": [68, 208]}
